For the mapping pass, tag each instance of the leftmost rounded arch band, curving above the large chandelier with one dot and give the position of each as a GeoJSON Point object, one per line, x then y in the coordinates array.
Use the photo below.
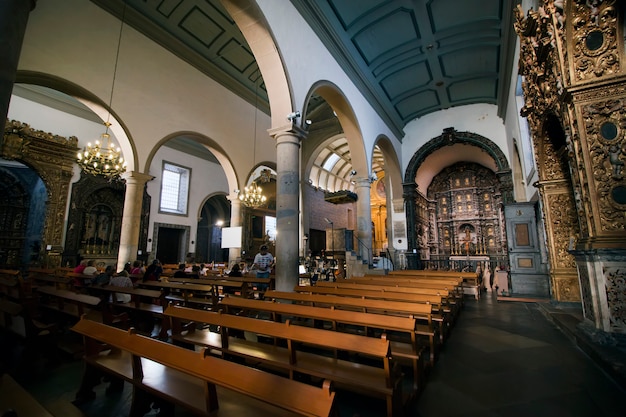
{"type": "Point", "coordinates": [92, 102]}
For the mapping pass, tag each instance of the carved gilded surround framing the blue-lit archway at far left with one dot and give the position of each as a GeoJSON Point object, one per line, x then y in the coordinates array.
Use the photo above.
{"type": "Point", "coordinates": [52, 157]}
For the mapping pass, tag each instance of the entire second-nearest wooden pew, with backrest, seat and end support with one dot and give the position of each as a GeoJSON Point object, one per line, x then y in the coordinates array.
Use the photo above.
{"type": "Point", "coordinates": [286, 353]}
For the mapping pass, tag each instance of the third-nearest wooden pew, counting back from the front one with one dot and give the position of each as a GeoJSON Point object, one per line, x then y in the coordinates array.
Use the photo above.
{"type": "Point", "coordinates": [406, 346]}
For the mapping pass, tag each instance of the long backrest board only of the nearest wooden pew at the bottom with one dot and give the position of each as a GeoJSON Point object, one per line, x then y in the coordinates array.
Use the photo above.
{"type": "Point", "coordinates": [236, 377]}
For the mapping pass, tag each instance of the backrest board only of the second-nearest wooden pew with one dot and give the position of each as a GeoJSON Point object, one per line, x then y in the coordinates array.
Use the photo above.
{"type": "Point", "coordinates": [323, 338]}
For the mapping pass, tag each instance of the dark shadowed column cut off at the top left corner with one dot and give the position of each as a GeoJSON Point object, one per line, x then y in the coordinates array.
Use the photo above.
{"type": "Point", "coordinates": [13, 19]}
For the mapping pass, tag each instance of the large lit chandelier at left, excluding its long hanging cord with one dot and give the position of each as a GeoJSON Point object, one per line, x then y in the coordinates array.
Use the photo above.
{"type": "Point", "coordinates": [102, 158]}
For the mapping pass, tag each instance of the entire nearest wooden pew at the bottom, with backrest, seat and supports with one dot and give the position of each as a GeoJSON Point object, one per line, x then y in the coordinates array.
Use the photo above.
{"type": "Point", "coordinates": [205, 385]}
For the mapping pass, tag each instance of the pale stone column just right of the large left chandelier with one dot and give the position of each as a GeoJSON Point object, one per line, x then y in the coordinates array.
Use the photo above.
{"type": "Point", "coordinates": [131, 218]}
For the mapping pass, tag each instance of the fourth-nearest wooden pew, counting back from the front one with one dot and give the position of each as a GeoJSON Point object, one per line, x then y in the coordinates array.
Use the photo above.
{"type": "Point", "coordinates": [420, 311]}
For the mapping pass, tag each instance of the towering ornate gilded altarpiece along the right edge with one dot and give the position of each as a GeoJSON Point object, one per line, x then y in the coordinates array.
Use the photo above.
{"type": "Point", "coordinates": [572, 59]}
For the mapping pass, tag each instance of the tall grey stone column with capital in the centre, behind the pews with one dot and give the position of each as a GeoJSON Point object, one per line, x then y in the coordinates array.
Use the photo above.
{"type": "Point", "coordinates": [287, 205]}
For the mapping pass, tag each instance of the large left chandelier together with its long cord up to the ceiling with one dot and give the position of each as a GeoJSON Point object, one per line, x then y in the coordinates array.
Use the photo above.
{"type": "Point", "coordinates": [103, 157]}
